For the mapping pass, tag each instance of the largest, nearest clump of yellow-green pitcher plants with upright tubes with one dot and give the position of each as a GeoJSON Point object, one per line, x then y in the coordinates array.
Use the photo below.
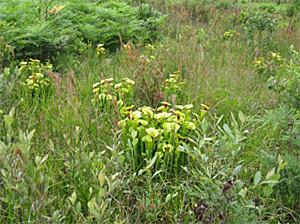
{"type": "Point", "coordinates": [159, 133]}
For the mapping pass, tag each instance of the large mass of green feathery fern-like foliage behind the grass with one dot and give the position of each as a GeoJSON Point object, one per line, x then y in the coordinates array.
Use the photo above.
{"type": "Point", "coordinates": [41, 31]}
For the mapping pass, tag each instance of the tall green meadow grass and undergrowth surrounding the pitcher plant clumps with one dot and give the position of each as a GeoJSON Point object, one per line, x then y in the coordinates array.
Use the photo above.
{"type": "Point", "coordinates": [240, 164]}
